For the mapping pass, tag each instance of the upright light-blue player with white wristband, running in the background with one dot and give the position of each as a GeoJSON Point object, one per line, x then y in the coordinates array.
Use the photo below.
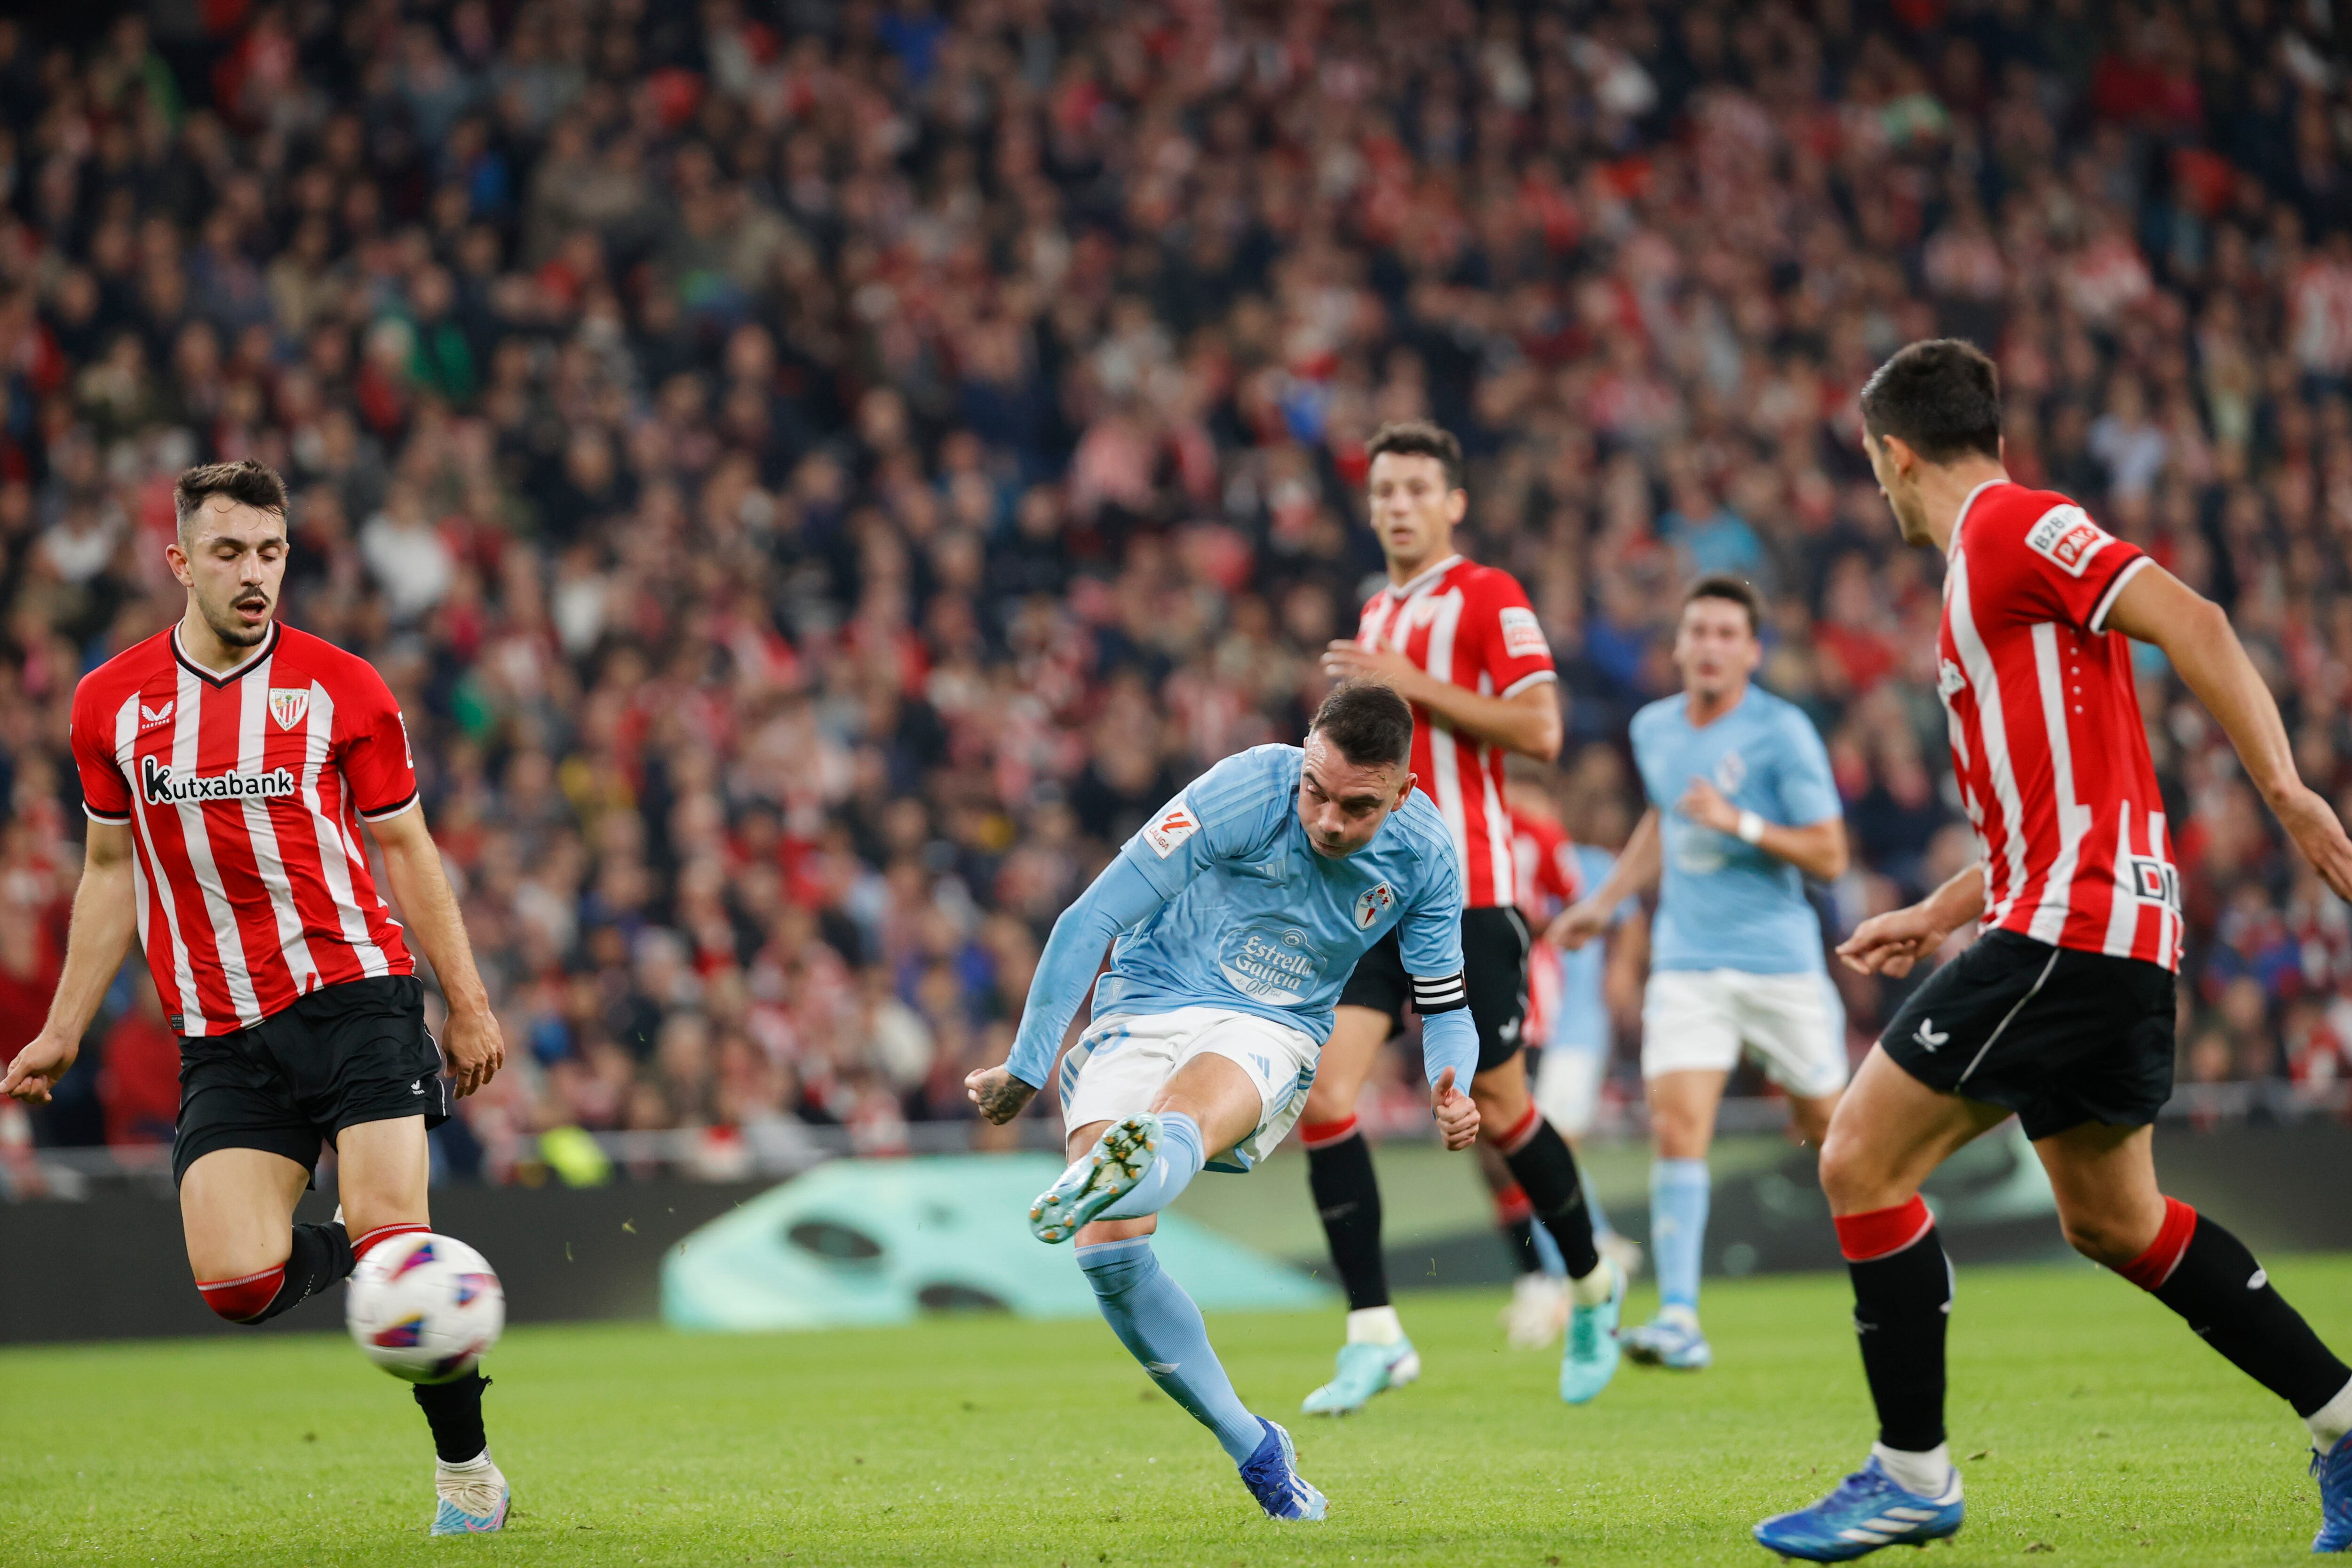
{"type": "Point", "coordinates": [1742, 812]}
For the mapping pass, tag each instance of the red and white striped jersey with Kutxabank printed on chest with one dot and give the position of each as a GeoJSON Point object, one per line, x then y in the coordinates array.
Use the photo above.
{"type": "Point", "coordinates": [246, 796]}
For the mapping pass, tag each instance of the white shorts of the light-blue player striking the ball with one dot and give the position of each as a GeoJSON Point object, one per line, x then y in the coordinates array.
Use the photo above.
{"type": "Point", "coordinates": [1121, 1066]}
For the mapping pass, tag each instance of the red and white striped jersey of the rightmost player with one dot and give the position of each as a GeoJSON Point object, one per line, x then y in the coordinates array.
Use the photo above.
{"type": "Point", "coordinates": [2047, 737]}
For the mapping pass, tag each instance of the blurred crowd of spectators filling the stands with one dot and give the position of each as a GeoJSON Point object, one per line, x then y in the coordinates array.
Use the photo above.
{"type": "Point", "coordinates": [817, 476]}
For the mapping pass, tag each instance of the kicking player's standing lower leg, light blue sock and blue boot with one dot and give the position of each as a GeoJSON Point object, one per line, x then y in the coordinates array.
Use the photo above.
{"type": "Point", "coordinates": [1163, 1329]}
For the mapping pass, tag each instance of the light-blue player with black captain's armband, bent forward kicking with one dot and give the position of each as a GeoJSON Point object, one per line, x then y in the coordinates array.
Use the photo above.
{"type": "Point", "coordinates": [1234, 916]}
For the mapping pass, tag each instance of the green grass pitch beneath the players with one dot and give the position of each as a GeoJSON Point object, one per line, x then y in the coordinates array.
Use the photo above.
{"type": "Point", "coordinates": [2102, 1433]}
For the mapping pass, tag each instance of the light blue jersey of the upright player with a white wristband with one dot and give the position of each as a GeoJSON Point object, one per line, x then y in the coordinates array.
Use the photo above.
{"type": "Point", "coordinates": [1725, 904]}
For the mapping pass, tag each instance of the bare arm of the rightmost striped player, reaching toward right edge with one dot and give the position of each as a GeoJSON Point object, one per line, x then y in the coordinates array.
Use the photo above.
{"type": "Point", "coordinates": [2158, 608]}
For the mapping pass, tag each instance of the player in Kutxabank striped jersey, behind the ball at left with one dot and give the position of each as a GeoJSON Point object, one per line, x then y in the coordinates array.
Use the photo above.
{"type": "Point", "coordinates": [227, 768]}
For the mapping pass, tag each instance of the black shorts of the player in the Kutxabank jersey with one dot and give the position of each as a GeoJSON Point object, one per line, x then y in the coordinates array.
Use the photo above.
{"type": "Point", "coordinates": [340, 1057]}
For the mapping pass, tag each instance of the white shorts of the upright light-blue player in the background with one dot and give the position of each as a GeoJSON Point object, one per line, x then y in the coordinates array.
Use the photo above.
{"type": "Point", "coordinates": [1699, 1019]}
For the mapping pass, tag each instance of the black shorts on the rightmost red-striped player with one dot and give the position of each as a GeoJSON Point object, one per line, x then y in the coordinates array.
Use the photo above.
{"type": "Point", "coordinates": [2057, 1036]}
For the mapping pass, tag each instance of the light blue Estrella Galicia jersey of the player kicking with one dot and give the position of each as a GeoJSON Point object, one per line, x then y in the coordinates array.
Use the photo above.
{"type": "Point", "coordinates": [1222, 902]}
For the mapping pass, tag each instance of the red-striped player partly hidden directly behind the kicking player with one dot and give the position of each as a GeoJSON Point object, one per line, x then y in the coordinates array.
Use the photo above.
{"type": "Point", "coordinates": [1464, 648]}
